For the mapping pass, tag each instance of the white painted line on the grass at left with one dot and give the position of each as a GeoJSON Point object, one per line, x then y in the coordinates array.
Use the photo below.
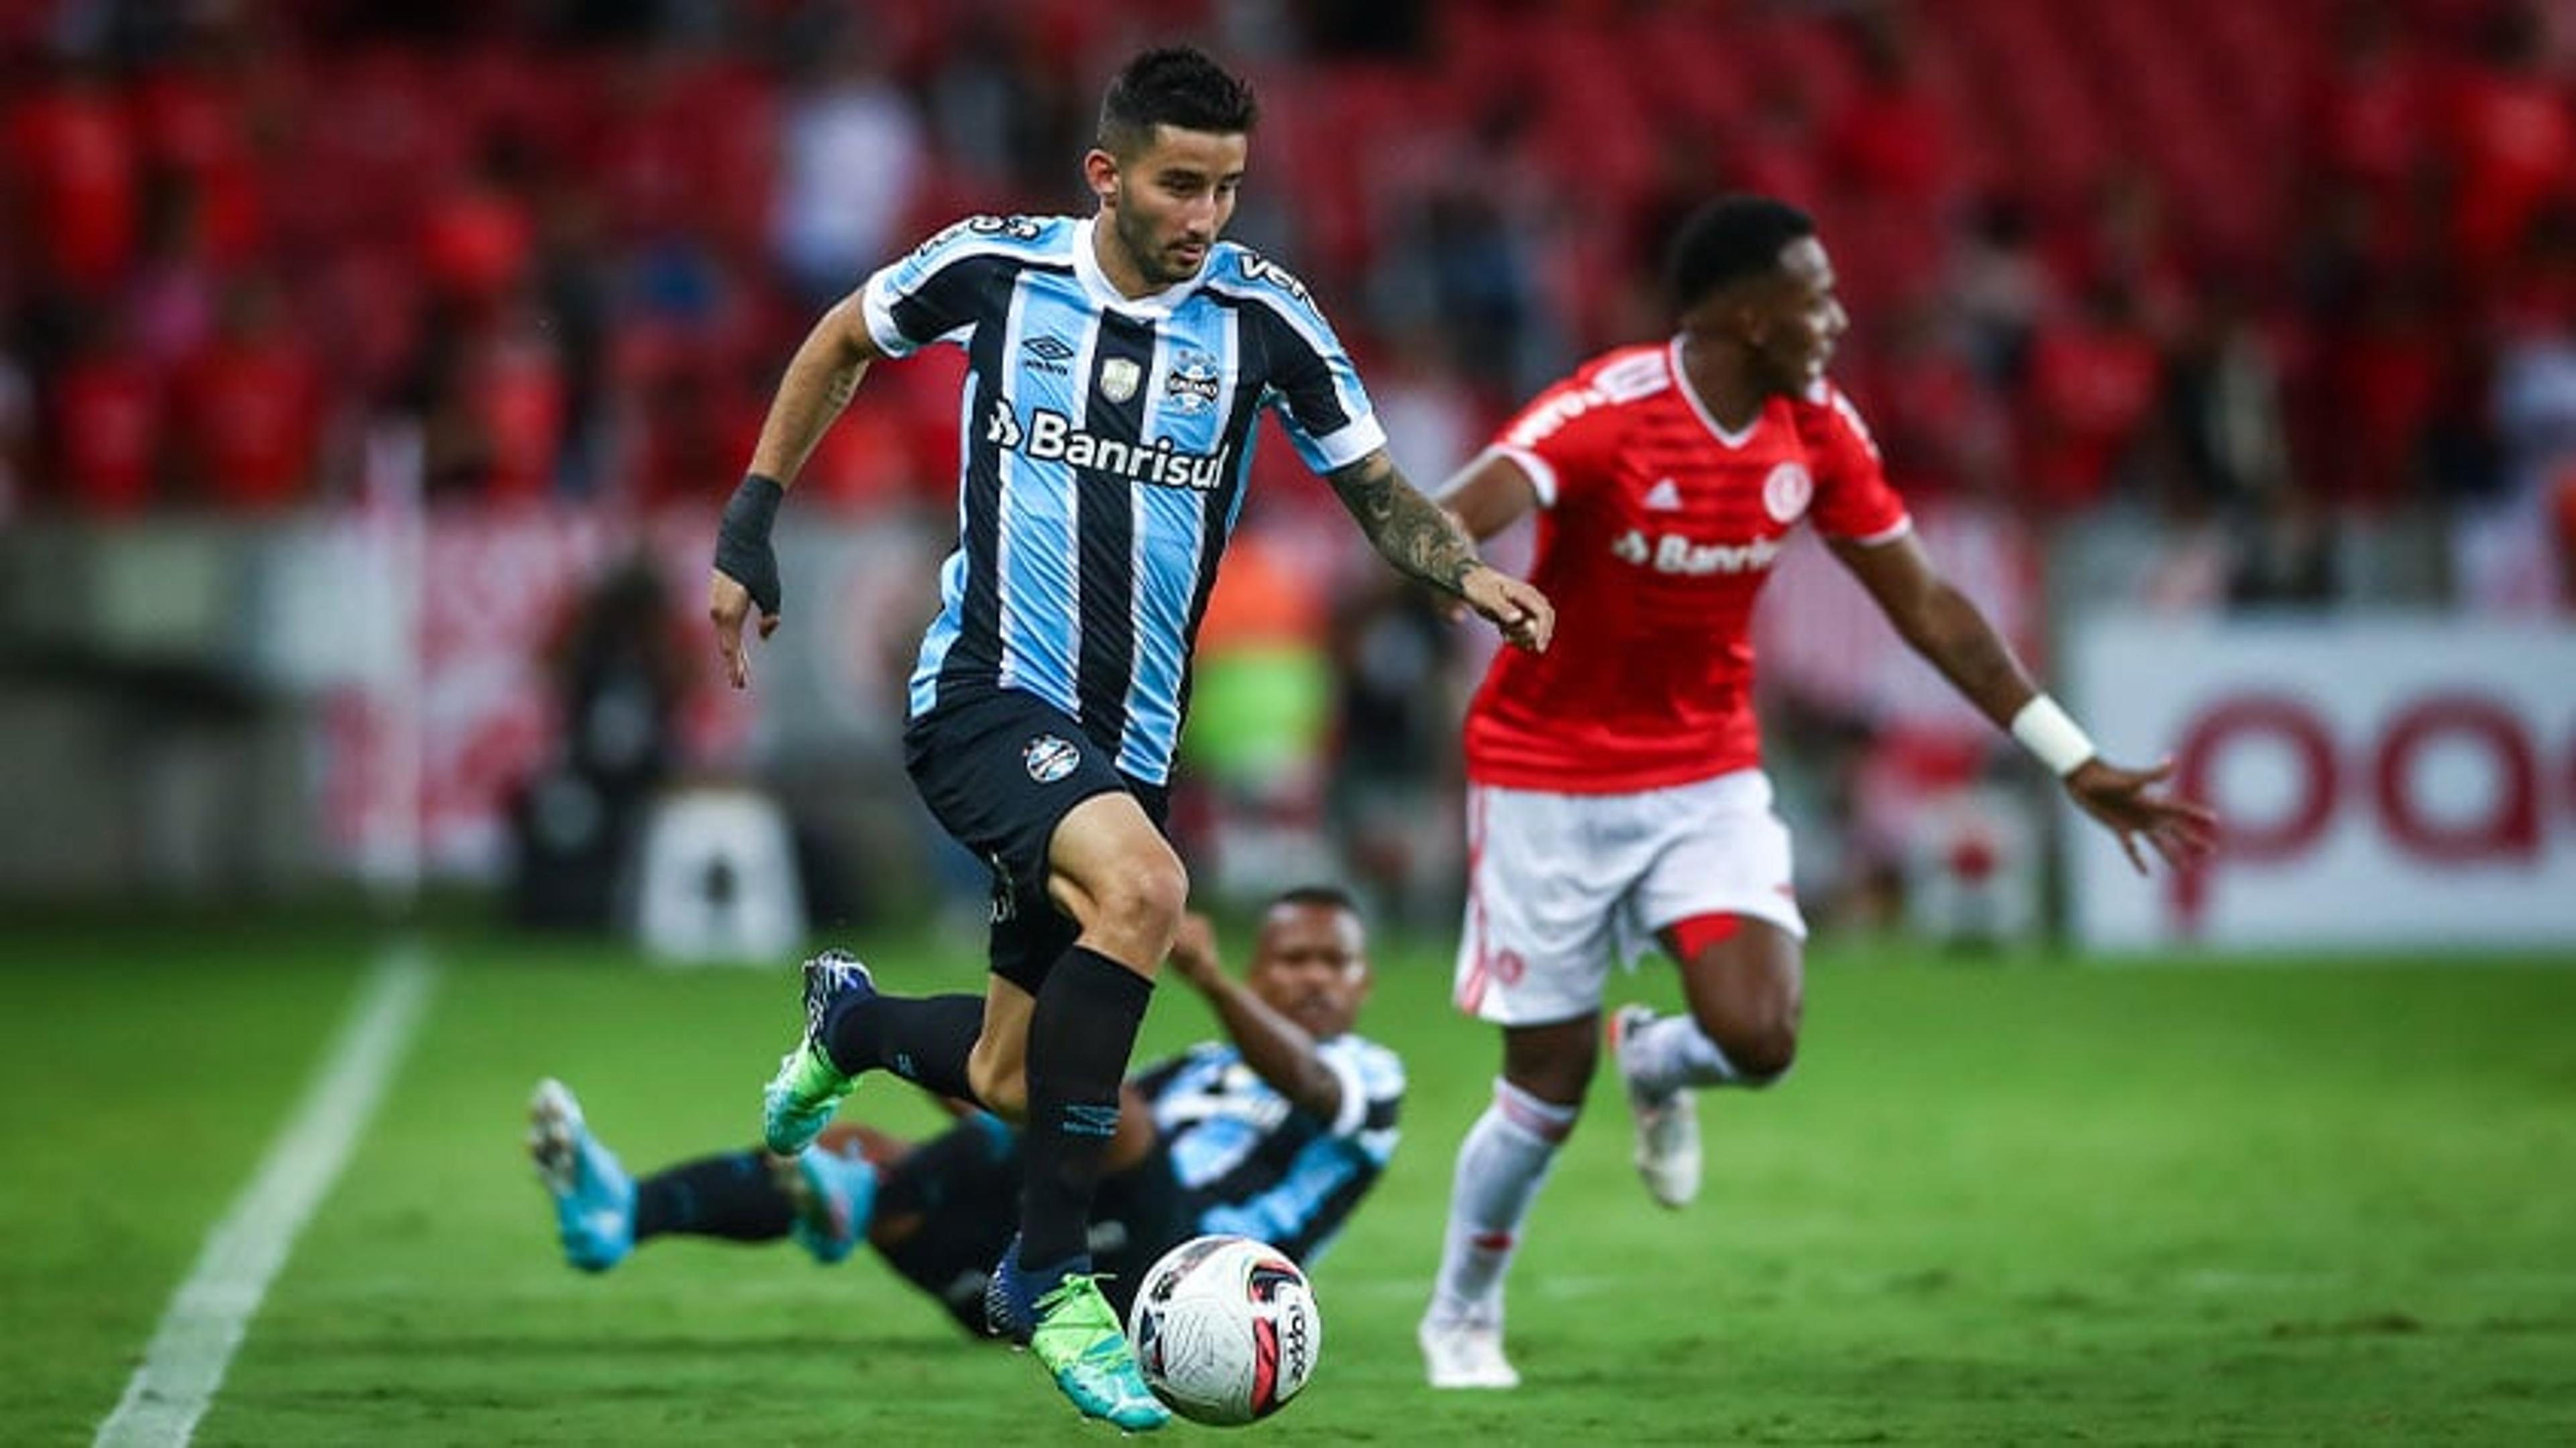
{"type": "Point", "coordinates": [205, 1320]}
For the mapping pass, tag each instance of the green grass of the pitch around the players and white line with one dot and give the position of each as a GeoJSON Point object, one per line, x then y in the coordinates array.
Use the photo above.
{"type": "Point", "coordinates": [2029, 1205]}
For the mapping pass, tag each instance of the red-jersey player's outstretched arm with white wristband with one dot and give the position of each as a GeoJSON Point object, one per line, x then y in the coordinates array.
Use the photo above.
{"type": "Point", "coordinates": [1954, 635]}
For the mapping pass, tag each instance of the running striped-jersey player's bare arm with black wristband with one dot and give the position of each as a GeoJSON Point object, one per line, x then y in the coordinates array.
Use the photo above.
{"type": "Point", "coordinates": [818, 385]}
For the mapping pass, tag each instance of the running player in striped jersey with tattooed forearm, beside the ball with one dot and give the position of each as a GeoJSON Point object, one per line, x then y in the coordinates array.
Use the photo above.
{"type": "Point", "coordinates": [1117, 367]}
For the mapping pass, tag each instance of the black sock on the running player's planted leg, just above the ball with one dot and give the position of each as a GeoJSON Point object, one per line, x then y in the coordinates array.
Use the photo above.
{"type": "Point", "coordinates": [1078, 1047]}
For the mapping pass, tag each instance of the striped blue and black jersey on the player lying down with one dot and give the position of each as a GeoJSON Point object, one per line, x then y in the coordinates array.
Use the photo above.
{"type": "Point", "coordinates": [1253, 1166]}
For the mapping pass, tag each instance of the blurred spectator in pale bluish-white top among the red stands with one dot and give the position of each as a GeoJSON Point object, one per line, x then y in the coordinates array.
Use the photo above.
{"type": "Point", "coordinates": [851, 158]}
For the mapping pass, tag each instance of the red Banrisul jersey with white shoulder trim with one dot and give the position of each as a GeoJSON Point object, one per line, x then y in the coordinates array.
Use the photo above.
{"type": "Point", "coordinates": [1655, 537]}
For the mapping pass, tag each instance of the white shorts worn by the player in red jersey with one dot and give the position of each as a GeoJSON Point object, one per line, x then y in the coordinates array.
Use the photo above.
{"type": "Point", "coordinates": [1565, 885]}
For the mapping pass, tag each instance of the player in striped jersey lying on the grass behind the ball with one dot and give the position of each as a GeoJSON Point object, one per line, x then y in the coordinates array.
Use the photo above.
{"type": "Point", "coordinates": [1274, 1132]}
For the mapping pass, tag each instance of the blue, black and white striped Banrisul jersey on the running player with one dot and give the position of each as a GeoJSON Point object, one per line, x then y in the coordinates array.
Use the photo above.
{"type": "Point", "coordinates": [1106, 444]}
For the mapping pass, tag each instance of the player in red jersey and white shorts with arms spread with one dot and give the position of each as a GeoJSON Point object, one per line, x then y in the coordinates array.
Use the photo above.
{"type": "Point", "coordinates": [1616, 792]}
